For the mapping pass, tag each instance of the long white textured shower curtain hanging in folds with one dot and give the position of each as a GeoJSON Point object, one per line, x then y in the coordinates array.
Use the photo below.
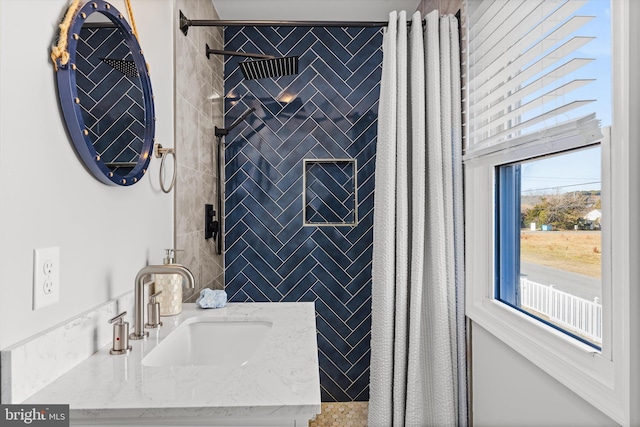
{"type": "Point", "coordinates": [418, 362]}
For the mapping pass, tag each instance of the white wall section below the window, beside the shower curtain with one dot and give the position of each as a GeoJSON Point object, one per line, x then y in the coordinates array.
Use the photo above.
{"type": "Point", "coordinates": [508, 390]}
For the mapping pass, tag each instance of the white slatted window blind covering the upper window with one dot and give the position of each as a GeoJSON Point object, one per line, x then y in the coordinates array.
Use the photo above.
{"type": "Point", "coordinates": [522, 71]}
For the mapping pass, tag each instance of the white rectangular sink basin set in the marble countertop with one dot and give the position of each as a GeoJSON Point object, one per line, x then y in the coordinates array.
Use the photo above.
{"type": "Point", "coordinates": [200, 341]}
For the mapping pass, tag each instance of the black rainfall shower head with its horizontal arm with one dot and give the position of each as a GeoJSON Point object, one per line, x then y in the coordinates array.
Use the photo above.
{"type": "Point", "coordinates": [265, 66]}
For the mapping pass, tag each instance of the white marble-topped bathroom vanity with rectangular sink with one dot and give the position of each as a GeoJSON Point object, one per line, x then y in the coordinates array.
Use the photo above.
{"type": "Point", "coordinates": [244, 364]}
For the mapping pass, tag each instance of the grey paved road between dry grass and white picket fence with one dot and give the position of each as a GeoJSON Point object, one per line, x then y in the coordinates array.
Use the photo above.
{"type": "Point", "coordinates": [576, 284]}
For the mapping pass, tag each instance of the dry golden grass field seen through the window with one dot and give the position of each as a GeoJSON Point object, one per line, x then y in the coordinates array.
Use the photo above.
{"type": "Point", "coordinates": [576, 251]}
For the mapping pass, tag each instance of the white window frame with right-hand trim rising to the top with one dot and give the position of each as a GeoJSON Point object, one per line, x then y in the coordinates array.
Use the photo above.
{"type": "Point", "coordinates": [610, 379]}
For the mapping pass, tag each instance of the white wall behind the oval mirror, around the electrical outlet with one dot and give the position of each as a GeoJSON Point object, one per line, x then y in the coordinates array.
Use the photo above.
{"type": "Point", "coordinates": [47, 198]}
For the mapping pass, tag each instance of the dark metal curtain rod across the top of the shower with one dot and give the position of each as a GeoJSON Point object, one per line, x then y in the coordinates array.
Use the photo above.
{"type": "Point", "coordinates": [185, 23]}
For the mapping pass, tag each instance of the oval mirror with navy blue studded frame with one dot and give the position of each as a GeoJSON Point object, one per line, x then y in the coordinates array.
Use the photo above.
{"type": "Point", "coordinates": [105, 95]}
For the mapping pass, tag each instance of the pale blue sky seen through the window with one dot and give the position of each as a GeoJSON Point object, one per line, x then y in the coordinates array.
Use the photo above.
{"type": "Point", "coordinates": [580, 170]}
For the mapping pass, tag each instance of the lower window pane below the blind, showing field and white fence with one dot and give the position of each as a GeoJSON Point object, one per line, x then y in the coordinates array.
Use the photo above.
{"type": "Point", "coordinates": [549, 243]}
